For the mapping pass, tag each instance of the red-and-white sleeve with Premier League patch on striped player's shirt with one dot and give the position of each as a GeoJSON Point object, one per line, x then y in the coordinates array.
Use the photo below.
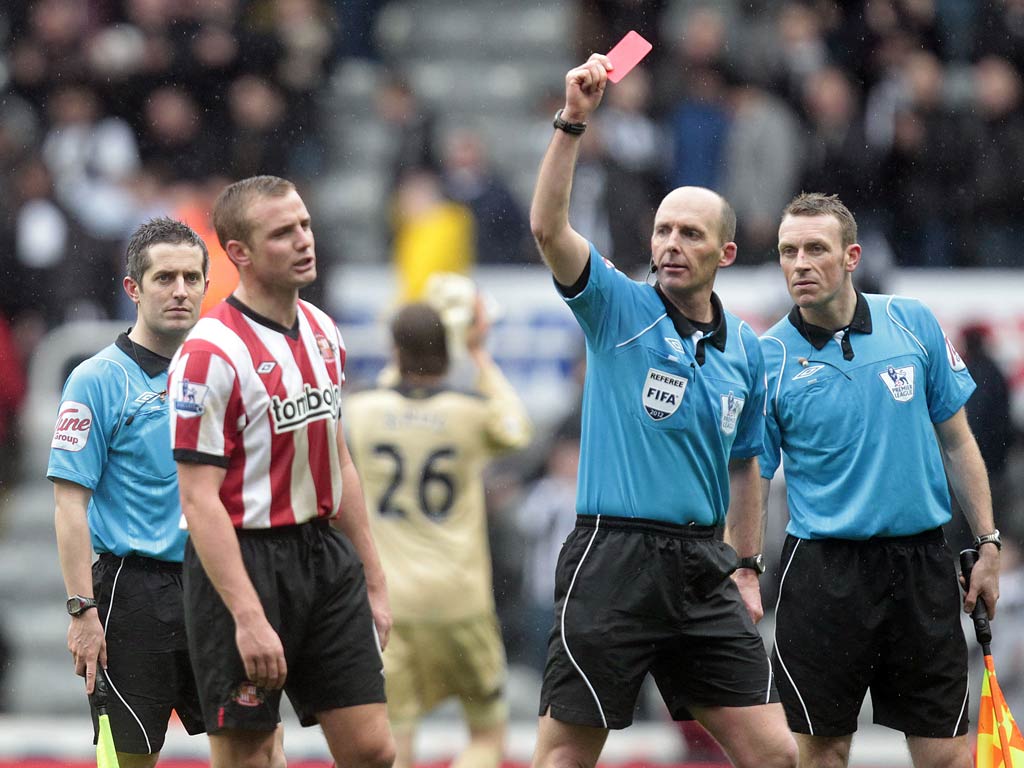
{"type": "Point", "coordinates": [206, 407]}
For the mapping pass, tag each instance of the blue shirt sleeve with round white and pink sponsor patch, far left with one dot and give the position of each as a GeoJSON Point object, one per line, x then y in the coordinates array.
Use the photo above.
{"type": "Point", "coordinates": [88, 418]}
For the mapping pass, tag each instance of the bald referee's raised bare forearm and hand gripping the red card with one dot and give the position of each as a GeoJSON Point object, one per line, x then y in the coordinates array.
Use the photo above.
{"type": "Point", "coordinates": [564, 249]}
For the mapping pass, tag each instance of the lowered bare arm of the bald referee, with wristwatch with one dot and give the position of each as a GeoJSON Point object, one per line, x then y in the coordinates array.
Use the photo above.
{"type": "Point", "coordinates": [745, 526]}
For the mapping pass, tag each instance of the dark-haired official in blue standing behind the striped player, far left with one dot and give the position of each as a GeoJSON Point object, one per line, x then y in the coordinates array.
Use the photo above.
{"type": "Point", "coordinates": [117, 495]}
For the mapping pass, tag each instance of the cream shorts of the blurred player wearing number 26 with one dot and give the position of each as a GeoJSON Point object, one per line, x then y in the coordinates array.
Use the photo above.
{"type": "Point", "coordinates": [428, 663]}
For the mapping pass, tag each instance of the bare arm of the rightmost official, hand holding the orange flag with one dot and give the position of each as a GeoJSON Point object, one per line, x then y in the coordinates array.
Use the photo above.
{"type": "Point", "coordinates": [969, 479]}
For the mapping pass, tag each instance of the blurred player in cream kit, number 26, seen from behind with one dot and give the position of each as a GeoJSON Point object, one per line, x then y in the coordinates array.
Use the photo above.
{"type": "Point", "coordinates": [421, 448]}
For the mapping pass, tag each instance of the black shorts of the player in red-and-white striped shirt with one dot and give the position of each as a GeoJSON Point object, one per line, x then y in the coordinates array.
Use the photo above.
{"type": "Point", "coordinates": [314, 592]}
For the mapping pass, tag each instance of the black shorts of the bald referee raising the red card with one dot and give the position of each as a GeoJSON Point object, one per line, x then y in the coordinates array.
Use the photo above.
{"type": "Point", "coordinates": [636, 596]}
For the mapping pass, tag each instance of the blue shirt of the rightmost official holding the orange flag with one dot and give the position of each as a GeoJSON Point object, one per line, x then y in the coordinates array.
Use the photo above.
{"type": "Point", "coordinates": [854, 414]}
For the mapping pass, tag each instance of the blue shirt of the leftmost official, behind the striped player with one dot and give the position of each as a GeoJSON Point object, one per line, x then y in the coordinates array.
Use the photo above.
{"type": "Point", "coordinates": [113, 437]}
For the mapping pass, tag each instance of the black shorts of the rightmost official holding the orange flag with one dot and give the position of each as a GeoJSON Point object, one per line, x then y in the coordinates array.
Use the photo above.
{"type": "Point", "coordinates": [881, 615]}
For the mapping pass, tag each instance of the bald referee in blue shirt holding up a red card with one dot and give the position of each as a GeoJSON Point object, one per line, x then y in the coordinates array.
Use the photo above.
{"type": "Point", "coordinates": [672, 426]}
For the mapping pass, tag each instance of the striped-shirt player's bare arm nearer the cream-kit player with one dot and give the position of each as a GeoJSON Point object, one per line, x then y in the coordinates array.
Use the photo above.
{"type": "Point", "coordinates": [354, 523]}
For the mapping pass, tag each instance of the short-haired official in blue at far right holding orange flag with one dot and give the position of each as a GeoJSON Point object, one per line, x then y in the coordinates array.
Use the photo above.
{"type": "Point", "coordinates": [866, 402]}
